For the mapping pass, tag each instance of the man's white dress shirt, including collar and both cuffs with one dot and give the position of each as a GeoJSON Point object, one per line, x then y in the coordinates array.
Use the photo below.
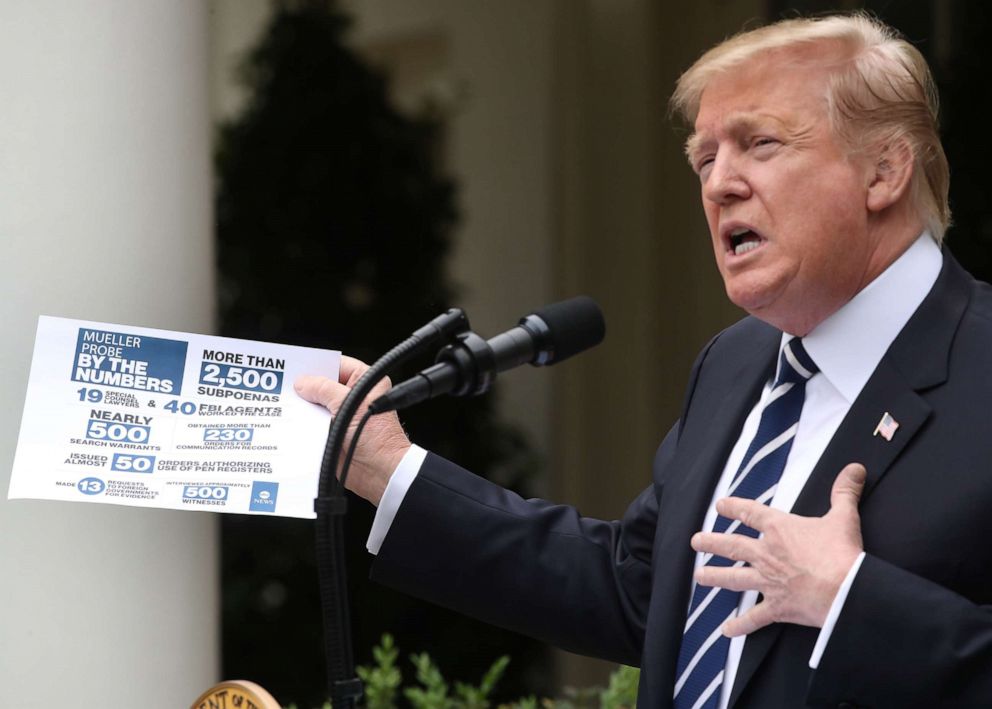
{"type": "Point", "coordinates": [847, 348]}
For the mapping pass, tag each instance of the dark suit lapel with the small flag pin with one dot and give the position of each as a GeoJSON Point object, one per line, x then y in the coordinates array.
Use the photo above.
{"type": "Point", "coordinates": [916, 361]}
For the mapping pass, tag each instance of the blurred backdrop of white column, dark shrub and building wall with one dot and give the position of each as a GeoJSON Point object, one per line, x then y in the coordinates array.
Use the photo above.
{"type": "Point", "coordinates": [335, 174]}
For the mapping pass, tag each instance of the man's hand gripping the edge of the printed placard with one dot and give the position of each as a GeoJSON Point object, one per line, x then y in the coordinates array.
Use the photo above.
{"type": "Point", "coordinates": [382, 444]}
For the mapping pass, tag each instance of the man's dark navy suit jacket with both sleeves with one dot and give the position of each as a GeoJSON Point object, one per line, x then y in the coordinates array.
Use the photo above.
{"type": "Point", "coordinates": [914, 631]}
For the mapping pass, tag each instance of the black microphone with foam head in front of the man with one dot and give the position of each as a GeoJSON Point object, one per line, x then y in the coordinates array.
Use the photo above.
{"type": "Point", "coordinates": [547, 336]}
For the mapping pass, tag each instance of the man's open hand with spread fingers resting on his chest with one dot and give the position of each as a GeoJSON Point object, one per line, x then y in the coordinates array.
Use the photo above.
{"type": "Point", "coordinates": [798, 564]}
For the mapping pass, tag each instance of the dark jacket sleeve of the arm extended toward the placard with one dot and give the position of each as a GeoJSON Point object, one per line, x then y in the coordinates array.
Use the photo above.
{"type": "Point", "coordinates": [527, 565]}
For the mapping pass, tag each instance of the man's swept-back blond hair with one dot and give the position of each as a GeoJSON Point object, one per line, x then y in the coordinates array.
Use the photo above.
{"type": "Point", "coordinates": [880, 93]}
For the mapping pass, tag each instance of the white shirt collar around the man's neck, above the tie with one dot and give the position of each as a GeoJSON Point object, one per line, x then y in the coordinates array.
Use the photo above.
{"type": "Point", "coordinates": [849, 344]}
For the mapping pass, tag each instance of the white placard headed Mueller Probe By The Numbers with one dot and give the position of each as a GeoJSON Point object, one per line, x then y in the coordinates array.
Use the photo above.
{"type": "Point", "coordinates": [151, 418]}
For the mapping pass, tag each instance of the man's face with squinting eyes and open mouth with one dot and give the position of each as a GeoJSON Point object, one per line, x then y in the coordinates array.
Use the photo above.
{"type": "Point", "coordinates": [785, 202]}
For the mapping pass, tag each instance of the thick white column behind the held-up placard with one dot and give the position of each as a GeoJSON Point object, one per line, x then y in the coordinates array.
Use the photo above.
{"type": "Point", "coordinates": [105, 214]}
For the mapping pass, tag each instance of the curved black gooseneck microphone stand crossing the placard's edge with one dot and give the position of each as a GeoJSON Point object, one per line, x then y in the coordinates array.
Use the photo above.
{"type": "Point", "coordinates": [343, 686]}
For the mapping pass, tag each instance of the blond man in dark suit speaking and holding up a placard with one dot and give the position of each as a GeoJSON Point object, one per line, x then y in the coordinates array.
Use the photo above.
{"type": "Point", "coordinates": [825, 189]}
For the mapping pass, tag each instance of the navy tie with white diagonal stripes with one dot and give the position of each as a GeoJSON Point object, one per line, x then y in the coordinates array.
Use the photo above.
{"type": "Point", "coordinates": [703, 653]}
